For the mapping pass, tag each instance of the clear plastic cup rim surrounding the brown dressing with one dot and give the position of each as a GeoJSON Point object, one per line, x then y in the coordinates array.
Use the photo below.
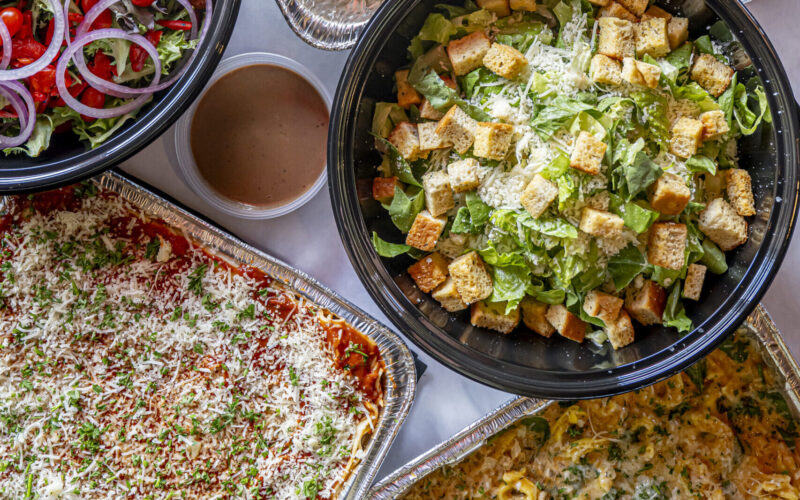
{"type": "Point", "coordinates": [183, 146]}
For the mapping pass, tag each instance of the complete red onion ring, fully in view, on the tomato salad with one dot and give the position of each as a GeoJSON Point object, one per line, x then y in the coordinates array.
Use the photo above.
{"type": "Point", "coordinates": [76, 46]}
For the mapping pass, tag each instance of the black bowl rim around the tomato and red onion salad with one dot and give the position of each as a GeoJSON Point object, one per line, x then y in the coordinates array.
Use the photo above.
{"type": "Point", "coordinates": [68, 160]}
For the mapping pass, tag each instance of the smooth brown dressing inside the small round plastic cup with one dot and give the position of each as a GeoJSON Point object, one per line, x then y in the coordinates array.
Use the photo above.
{"type": "Point", "coordinates": [259, 135]}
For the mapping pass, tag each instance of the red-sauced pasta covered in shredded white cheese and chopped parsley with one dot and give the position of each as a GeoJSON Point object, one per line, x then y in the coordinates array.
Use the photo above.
{"type": "Point", "coordinates": [135, 364]}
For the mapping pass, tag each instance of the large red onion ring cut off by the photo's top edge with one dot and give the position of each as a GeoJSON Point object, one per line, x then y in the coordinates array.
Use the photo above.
{"type": "Point", "coordinates": [120, 90]}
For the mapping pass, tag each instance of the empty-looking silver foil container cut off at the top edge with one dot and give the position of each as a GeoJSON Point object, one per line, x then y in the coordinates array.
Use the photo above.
{"type": "Point", "coordinates": [328, 24]}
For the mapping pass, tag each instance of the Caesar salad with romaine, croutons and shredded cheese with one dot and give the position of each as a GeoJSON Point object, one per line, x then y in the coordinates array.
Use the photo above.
{"type": "Point", "coordinates": [567, 164]}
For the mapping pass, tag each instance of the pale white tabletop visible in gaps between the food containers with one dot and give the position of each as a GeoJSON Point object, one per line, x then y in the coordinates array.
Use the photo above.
{"type": "Point", "coordinates": [445, 401]}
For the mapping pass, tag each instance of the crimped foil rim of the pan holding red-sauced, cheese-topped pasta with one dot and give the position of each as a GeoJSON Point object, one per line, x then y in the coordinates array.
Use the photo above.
{"type": "Point", "coordinates": [400, 371]}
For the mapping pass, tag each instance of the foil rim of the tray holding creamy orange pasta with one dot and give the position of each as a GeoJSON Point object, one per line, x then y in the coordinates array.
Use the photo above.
{"type": "Point", "coordinates": [758, 324]}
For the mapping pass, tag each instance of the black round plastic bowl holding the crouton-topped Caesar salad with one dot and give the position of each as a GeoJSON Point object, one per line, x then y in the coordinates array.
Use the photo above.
{"type": "Point", "coordinates": [524, 363]}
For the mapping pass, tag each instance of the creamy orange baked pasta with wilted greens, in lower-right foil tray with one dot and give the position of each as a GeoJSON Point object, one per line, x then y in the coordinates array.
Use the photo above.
{"type": "Point", "coordinates": [720, 430]}
